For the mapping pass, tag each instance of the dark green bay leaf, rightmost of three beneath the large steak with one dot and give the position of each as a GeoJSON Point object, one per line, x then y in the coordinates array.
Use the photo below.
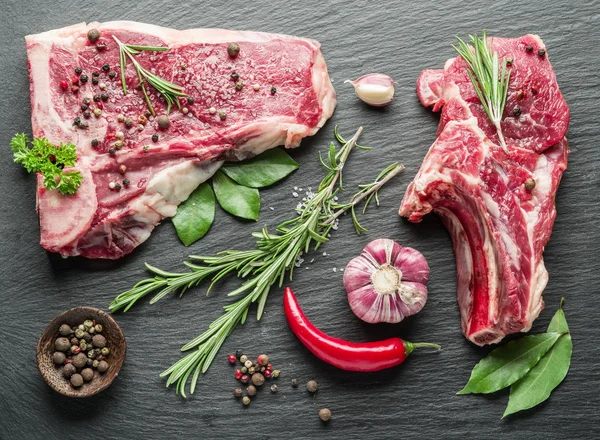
{"type": "Point", "coordinates": [263, 170]}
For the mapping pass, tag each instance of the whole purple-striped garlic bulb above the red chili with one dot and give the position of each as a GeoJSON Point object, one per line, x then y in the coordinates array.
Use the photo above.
{"type": "Point", "coordinates": [387, 282]}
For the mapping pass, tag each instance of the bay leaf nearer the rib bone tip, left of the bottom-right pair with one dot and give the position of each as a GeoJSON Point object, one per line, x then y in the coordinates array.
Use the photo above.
{"type": "Point", "coordinates": [505, 365]}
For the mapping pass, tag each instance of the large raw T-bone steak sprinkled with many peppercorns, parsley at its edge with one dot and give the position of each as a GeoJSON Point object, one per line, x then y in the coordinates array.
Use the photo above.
{"type": "Point", "coordinates": [286, 95]}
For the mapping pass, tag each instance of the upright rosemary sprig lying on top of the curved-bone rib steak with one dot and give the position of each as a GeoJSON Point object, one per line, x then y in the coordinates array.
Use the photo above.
{"type": "Point", "coordinates": [489, 77]}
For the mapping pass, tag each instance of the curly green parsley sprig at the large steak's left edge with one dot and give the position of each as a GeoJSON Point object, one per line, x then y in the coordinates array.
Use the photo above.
{"type": "Point", "coordinates": [50, 160]}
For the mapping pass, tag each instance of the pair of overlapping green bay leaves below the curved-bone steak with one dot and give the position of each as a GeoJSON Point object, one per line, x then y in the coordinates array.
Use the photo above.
{"type": "Point", "coordinates": [532, 366]}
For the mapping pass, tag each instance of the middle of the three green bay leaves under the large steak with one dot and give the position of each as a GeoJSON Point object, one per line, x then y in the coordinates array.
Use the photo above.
{"type": "Point", "coordinates": [236, 199]}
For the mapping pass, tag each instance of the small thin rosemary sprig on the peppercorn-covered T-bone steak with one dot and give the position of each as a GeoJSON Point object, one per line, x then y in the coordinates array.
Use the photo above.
{"type": "Point", "coordinates": [169, 91]}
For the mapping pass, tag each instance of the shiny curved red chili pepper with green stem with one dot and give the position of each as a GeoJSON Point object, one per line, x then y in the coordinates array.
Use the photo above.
{"type": "Point", "coordinates": [351, 356]}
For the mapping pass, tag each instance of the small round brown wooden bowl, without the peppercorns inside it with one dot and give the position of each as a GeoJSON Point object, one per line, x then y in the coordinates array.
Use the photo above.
{"type": "Point", "coordinates": [115, 341]}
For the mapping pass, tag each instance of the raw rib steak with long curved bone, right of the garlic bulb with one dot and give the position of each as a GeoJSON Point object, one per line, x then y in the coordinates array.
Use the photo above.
{"type": "Point", "coordinates": [498, 206]}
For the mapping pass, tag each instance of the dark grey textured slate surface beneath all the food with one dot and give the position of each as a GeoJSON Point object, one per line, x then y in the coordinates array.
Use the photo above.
{"type": "Point", "coordinates": [416, 400]}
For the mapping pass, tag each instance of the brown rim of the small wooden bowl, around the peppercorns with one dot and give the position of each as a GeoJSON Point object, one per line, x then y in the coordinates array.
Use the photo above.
{"type": "Point", "coordinates": [46, 334]}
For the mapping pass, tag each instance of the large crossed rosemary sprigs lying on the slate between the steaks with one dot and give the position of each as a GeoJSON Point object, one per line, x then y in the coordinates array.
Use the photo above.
{"type": "Point", "coordinates": [274, 258]}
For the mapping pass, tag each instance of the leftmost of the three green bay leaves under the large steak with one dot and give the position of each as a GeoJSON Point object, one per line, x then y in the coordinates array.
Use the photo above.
{"type": "Point", "coordinates": [195, 216]}
